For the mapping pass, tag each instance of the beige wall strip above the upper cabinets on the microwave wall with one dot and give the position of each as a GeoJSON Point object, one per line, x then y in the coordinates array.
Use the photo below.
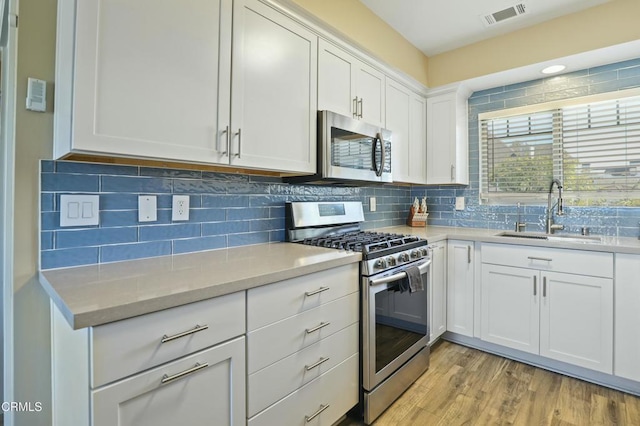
{"type": "Point", "coordinates": [360, 24]}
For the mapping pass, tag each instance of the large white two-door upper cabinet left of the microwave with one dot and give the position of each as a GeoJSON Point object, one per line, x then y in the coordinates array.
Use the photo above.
{"type": "Point", "coordinates": [152, 79]}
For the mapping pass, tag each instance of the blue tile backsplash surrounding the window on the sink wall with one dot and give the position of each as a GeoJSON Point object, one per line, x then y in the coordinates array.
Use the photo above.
{"type": "Point", "coordinates": [613, 221]}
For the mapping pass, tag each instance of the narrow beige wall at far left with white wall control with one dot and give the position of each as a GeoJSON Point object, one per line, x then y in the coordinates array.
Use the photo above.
{"type": "Point", "coordinates": [34, 132]}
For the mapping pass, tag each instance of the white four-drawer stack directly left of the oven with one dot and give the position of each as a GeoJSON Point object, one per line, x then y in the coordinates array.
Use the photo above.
{"type": "Point", "coordinates": [302, 348]}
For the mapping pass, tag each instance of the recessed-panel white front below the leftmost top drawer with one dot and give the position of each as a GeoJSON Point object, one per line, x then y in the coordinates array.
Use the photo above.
{"type": "Point", "coordinates": [214, 394]}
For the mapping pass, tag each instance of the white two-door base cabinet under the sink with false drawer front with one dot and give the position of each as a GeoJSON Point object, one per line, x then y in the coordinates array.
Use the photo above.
{"type": "Point", "coordinates": [542, 310]}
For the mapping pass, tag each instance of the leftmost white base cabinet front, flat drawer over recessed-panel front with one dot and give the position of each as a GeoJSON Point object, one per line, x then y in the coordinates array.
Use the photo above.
{"type": "Point", "coordinates": [184, 365]}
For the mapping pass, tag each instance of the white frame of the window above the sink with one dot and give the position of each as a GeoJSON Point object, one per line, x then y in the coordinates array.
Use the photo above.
{"type": "Point", "coordinates": [540, 198]}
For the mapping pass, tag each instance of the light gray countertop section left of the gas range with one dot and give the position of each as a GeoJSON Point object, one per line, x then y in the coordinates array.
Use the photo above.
{"type": "Point", "coordinates": [98, 294]}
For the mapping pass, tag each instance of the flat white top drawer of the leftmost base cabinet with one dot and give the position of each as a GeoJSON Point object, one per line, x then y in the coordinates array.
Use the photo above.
{"type": "Point", "coordinates": [125, 347]}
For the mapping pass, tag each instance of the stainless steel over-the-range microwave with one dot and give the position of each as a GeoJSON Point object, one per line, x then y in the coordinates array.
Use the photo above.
{"type": "Point", "coordinates": [350, 151]}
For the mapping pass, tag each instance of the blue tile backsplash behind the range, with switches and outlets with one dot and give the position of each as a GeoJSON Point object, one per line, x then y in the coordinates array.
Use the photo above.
{"type": "Point", "coordinates": [226, 210]}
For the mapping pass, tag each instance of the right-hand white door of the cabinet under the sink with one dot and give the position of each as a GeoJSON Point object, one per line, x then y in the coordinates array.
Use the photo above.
{"type": "Point", "coordinates": [576, 320]}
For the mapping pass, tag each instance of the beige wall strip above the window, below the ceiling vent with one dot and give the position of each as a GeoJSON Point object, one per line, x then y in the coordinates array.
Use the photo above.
{"type": "Point", "coordinates": [601, 26]}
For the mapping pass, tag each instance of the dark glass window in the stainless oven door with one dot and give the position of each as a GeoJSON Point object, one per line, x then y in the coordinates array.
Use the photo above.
{"type": "Point", "coordinates": [400, 322]}
